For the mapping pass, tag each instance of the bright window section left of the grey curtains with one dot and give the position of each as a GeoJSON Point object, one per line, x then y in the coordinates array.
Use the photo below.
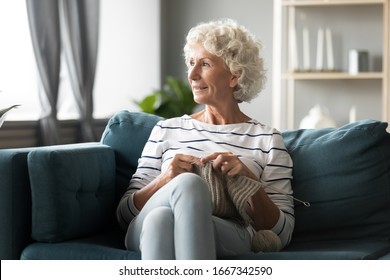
{"type": "Point", "coordinates": [18, 77]}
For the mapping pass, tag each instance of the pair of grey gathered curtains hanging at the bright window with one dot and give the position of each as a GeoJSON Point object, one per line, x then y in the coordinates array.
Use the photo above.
{"type": "Point", "coordinates": [75, 23]}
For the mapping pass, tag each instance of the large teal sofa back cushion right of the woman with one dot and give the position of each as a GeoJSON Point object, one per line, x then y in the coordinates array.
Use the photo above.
{"type": "Point", "coordinates": [345, 174]}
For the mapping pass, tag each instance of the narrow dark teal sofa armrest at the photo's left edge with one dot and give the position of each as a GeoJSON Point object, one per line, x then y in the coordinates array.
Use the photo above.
{"type": "Point", "coordinates": [15, 203]}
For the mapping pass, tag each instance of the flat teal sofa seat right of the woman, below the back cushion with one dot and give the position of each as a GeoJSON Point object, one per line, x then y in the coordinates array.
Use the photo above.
{"type": "Point", "coordinates": [327, 250]}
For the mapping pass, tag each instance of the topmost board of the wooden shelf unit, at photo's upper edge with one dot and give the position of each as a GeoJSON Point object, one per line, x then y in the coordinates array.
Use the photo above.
{"type": "Point", "coordinates": [329, 2]}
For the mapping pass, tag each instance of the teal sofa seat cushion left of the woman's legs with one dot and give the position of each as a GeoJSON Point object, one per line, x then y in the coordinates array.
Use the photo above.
{"type": "Point", "coordinates": [104, 246]}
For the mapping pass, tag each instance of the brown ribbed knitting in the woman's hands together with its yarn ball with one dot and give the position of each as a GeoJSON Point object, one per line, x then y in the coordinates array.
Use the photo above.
{"type": "Point", "coordinates": [229, 196]}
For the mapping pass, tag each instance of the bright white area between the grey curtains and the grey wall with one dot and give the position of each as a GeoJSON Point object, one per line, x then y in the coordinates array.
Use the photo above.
{"type": "Point", "coordinates": [129, 54]}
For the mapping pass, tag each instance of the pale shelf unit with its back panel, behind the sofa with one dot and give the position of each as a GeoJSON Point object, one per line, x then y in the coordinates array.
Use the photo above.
{"type": "Point", "coordinates": [345, 16]}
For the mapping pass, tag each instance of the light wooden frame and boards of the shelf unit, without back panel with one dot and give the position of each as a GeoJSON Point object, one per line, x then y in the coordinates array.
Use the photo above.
{"type": "Point", "coordinates": [284, 80]}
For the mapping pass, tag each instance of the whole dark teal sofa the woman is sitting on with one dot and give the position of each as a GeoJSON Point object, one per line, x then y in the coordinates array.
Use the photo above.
{"type": "Point", "coordinates": [58, 202]}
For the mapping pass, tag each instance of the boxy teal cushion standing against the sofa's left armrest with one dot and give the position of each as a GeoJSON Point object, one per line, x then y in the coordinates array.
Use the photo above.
{"type": "Point", "coordinates": [72, 189]}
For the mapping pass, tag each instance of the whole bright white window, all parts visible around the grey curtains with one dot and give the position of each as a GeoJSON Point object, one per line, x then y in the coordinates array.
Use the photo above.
{"type": "Point", "coordinates": [128, 65]}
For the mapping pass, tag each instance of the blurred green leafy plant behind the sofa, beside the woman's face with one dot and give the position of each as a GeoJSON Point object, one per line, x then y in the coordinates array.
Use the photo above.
{"type": "Point", "coordinates": [173, 100]}
